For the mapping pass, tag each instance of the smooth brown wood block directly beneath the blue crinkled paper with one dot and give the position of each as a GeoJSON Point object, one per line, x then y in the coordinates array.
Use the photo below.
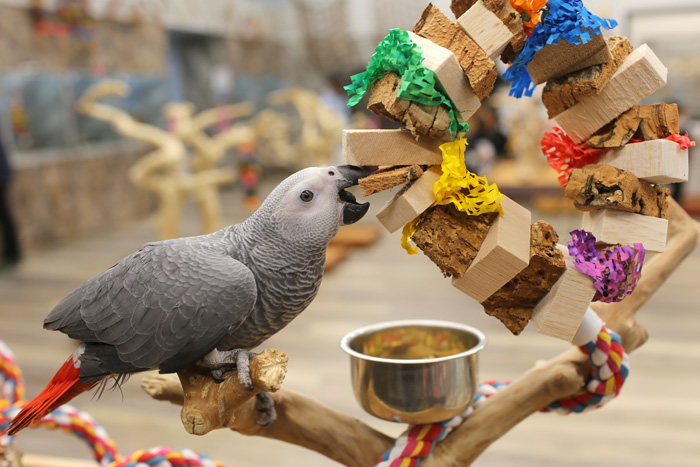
{"type": "Point", "coordinates": [562, 58]}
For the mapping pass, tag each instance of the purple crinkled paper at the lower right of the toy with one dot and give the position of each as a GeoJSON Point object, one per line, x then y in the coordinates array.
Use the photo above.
{"type": "Point", "coordinates": [615, 270]}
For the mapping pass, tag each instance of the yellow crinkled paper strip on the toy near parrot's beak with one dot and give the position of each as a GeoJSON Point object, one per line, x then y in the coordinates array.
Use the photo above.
{"type": "Point", "coordinates": [467, 191]}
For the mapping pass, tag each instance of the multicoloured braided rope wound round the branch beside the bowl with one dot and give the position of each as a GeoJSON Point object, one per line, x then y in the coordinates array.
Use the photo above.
{"type": "Point", "coordinates": [611, 367]}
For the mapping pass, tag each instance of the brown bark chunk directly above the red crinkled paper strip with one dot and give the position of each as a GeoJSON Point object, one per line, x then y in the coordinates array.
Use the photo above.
{"type": "Point", "coordinates": [645, 122]}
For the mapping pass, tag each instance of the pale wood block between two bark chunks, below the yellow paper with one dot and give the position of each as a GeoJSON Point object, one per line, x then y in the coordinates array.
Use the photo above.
{"type": "Point", "coordinates": [503, 254]}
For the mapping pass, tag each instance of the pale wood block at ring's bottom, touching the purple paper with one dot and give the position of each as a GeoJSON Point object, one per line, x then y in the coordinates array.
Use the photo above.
{"type": "Point", "coordinates": [561, 311]}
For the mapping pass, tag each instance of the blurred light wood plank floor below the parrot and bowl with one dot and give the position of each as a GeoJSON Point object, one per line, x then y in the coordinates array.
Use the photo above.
{"type": "Point", "coordinates": [655, 422]}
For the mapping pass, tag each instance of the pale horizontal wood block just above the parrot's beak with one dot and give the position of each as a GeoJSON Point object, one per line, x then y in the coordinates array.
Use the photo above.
{"type": "Point", "coordinates": [389, 147]}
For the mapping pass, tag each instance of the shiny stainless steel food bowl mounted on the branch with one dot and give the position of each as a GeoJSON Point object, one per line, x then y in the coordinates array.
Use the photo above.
{"type": "Point", "coordinates": [414, 371]}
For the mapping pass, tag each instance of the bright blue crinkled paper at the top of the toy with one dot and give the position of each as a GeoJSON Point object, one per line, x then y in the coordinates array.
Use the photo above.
{"type": "Point", "coordinates": [562, 19]}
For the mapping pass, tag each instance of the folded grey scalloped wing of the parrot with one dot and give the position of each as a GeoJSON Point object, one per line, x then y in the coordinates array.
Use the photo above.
{"type": "Point", "coordinates": [165, 306]}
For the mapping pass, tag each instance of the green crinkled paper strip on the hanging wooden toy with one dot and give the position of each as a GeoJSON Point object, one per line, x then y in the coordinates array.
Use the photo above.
{"type": "Point", "coordinates": [397, 53]}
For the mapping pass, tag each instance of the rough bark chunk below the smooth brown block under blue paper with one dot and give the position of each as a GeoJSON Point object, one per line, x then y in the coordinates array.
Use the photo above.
{"type": "Point", "coordinates": [563, 92]}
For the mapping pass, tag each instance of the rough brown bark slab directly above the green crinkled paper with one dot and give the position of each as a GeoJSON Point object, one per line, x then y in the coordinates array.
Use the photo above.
{"type": "Point", "coordinates": [475, 63]}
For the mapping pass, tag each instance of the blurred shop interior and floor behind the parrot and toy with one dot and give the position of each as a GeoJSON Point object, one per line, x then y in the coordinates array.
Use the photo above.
{"type": "Point", "coordinates": [242, 93]}
